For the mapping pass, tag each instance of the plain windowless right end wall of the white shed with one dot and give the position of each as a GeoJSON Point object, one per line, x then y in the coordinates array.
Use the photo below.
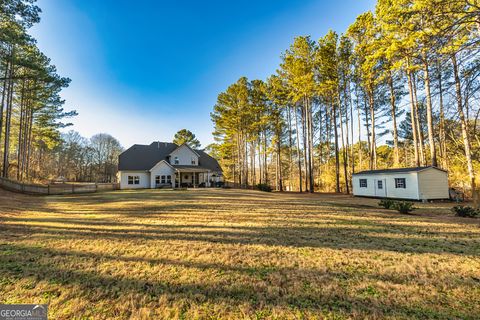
{"type": "Point", "coordinates": [433, 184]}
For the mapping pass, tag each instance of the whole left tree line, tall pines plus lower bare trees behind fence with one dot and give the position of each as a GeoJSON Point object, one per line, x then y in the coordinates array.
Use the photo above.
{"type": "Point", "coordinates": [32, 114]}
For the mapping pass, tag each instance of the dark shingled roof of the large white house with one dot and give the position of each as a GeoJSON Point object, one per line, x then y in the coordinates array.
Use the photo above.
{"type": "Point", "coordinates": [145, 157]}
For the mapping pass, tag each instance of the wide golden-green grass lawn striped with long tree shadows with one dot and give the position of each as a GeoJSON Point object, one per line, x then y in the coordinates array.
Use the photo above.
{"type": "Point", "coordinates": [233, 254]}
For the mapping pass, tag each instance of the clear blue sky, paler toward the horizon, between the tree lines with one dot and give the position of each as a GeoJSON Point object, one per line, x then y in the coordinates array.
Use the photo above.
{"type": "Point", "coordinates": [143, 70]}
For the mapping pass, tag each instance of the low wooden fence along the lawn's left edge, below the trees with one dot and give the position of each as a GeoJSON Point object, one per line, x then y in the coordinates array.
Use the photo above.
{"type": "Point", "coordinates": [60, 188]}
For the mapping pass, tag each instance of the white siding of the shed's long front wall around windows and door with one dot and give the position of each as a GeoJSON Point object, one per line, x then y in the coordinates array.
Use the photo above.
{"type": "Point", "coordinates": [410, 192]}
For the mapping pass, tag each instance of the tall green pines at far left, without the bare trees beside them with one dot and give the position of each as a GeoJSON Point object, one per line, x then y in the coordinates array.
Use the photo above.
{"type": "Point", "coordinates": [31, 110]}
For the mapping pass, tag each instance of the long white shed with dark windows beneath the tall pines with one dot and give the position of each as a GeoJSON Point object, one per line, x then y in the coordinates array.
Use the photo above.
{"type": "Point", "coordinates": [418, 183]}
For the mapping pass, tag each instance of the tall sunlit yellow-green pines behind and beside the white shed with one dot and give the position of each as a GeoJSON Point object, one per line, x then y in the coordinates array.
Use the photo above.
{"type": "Point", "coordinates": [399, 88]}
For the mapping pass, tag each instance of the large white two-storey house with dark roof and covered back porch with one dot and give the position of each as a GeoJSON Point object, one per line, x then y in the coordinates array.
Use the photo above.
{"type": "Point", "coordinates": [164, 164]}
